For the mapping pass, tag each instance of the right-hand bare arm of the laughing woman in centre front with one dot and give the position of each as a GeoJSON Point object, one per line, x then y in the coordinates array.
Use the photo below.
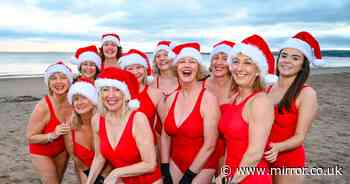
{"type": "Point", "coordinates": [210, 112]}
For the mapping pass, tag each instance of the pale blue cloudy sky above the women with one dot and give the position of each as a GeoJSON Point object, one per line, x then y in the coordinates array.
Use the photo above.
{"type": "Point", "coordinates": [64, 25]}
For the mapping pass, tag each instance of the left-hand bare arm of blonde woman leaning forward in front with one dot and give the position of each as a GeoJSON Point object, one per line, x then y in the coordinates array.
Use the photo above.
{"type": "Point", "coordinates": [99, 160]}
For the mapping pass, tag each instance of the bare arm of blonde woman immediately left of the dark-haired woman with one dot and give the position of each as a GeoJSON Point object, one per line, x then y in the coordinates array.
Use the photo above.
{"type": "Point", "coordinates": [260, 116]}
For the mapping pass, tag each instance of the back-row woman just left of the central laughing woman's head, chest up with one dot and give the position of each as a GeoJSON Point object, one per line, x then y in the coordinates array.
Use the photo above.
{"type": "Point", "coordinates": [166, 80]}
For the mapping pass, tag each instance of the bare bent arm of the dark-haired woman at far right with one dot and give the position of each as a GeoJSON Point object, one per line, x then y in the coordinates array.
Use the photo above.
{"type": "Point", "coordinates": [307, 110]}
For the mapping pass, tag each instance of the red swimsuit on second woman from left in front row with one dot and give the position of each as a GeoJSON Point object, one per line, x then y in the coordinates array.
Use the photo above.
{"type": "Point", "coordinates": [84, 154]}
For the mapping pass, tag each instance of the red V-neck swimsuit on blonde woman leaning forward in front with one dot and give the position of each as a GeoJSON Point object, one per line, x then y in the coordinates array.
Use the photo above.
{"type": "Point", "coordinates": [125, 153]}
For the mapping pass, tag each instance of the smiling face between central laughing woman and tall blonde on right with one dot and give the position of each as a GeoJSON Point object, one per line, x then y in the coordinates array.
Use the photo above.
{"type": "Point", "coordinates": [219, 66]}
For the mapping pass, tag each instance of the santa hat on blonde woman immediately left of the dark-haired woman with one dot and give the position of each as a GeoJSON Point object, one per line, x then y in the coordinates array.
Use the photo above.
{"type": "Point", "coordinates": [257, 49]}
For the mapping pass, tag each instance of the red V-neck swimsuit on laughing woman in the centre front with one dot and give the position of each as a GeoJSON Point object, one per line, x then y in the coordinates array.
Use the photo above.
{"type": "Point", "coordinates": [187, 140]}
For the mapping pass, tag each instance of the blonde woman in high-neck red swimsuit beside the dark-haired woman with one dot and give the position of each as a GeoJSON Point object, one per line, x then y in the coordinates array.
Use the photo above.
{"type": "Point", "coordinates": [245, 124]}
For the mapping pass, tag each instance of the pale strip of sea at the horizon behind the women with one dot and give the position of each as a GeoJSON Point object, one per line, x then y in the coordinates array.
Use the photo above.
{"type": "Point", "coordinates": [33, 64]}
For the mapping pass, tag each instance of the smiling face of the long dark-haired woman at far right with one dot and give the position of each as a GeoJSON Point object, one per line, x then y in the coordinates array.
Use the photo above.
{"type": "Point", "coordinates": [290, 62]}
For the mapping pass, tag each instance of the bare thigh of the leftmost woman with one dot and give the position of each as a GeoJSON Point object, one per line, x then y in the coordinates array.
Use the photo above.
{"type": "Point", "coordinates": [46, 168]}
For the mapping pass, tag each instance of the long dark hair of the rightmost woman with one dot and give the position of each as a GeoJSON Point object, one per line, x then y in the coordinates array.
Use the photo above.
{"type": "Point", "coordinates": [298, 83]}
